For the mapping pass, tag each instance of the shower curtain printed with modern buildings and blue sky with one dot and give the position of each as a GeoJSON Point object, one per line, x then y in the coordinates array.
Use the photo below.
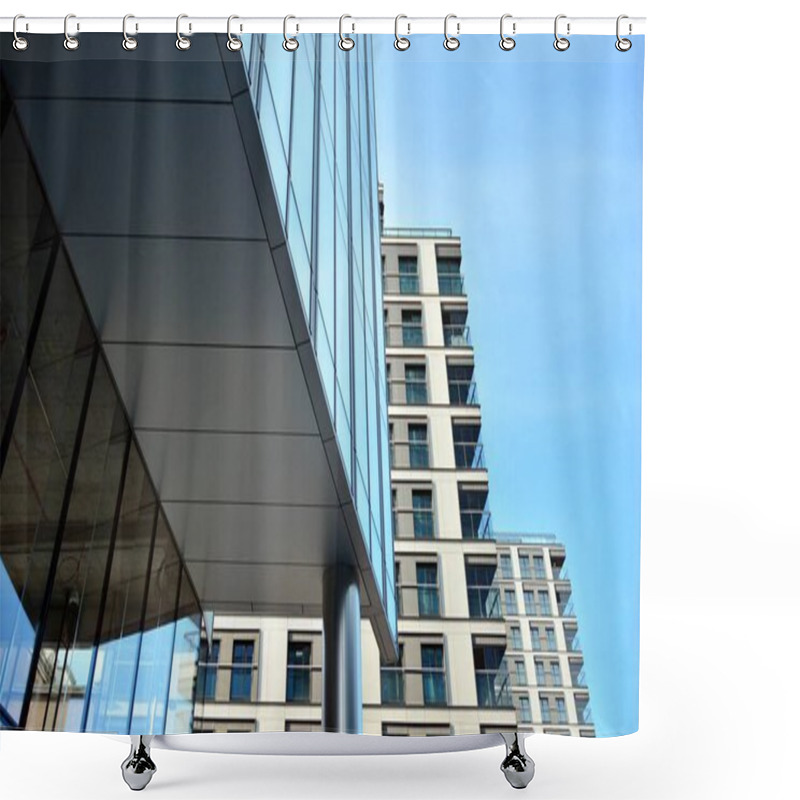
{"type": "Point", "coordinates": [321, 378]}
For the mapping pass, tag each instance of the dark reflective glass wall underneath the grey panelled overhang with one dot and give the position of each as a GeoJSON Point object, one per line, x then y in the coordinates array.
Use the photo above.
{"type": "Point", "coordinates": [99, 621]}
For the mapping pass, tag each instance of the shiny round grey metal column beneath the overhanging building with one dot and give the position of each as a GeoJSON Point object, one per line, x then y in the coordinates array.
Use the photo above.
{"type": "Point", "coordinates": [341, 650]}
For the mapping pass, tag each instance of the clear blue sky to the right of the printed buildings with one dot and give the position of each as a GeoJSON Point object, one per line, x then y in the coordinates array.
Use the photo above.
{"type": "Point", "coordinates": [533, 157]}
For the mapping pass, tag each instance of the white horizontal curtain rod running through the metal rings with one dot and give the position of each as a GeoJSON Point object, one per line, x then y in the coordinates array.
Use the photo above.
{"type": "Point", "coordinates": [301, 24]}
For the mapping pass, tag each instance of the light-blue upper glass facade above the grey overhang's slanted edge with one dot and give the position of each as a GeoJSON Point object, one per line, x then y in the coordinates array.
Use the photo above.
{"type": "Point", "coordinates": [316, 113]}
